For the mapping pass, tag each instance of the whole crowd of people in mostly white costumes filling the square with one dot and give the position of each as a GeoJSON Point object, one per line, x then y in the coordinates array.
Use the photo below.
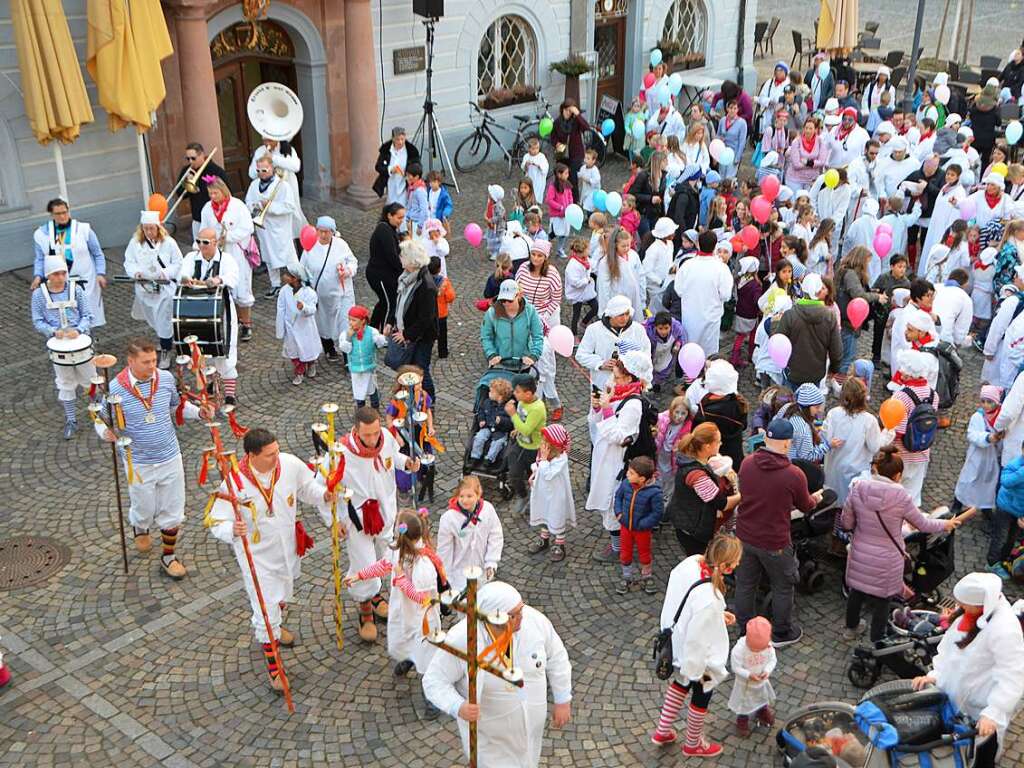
{"type": "Point", "coordinates": [855, 212]}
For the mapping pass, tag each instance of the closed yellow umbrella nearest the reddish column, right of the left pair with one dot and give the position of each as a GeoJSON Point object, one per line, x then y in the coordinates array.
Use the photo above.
{"type": "Point", "coordinates": [127, 41]}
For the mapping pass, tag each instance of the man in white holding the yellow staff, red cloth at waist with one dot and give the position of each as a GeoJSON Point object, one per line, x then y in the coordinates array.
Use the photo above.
{"type": "Point", "coordinates": [371, 457]}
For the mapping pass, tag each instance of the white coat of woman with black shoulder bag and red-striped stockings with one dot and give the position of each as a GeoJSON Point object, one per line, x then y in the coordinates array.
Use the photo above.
{"type": "Point", "coordinates": [700, 639]}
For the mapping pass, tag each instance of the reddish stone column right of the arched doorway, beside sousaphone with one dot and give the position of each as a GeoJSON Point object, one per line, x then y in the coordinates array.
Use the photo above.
{"type": "Point", "coordinates": [363, 120]}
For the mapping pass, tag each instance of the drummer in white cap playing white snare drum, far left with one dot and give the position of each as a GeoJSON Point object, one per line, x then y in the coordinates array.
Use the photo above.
{"type": "Point", "coordinates": [61, 313]}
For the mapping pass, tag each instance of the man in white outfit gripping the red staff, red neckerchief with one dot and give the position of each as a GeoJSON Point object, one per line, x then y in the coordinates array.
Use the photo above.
{"type": "Point", "coordinates": [272, 483]}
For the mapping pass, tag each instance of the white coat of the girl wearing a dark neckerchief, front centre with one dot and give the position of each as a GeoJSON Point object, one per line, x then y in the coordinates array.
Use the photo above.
{"type": "Point", "coordinates": [476, 545]}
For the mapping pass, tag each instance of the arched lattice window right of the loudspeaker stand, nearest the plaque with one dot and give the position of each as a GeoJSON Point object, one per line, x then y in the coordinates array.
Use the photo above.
{"type": "Point", "coordinates": [507, 58]}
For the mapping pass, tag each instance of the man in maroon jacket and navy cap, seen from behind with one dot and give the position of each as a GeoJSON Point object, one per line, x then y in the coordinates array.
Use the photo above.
{"type": "Point", "coordinates": [772, 488]}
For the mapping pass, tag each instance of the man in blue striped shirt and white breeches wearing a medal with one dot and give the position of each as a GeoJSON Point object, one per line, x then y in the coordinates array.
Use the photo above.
{"type": "Point", "coordinates": [157, 489]}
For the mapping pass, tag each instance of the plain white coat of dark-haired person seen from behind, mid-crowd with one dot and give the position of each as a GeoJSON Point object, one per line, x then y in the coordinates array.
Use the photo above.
{"type": "Point", "coordinates": [706, 284]}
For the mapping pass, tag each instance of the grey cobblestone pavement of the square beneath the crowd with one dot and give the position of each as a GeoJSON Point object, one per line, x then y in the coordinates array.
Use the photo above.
{"type": "Point", "coordinates": [141, 671]}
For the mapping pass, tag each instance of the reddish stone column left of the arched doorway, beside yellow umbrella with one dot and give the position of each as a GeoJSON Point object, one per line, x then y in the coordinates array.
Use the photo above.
{"type": "Point", "coordinates": [196, 67]}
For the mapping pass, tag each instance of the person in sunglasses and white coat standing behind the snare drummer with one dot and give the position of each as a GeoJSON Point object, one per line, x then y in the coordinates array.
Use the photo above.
{"type": "Point", "coordinates": [75, 242]}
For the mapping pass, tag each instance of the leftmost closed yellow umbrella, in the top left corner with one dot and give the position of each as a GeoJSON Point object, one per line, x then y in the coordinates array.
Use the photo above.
{"type": "Point", "coordinates": [56, 100]}
